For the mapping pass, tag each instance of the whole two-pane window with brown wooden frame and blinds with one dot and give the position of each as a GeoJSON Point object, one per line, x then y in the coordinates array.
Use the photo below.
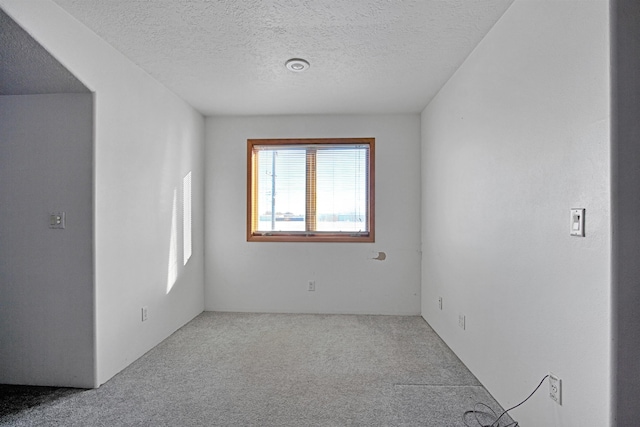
{"type": "Point", "coordinates": [303, 190]}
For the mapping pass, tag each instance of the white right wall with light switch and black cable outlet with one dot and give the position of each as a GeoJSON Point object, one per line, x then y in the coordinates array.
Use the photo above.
{"type": "Point", "coordinates": [517, 137]}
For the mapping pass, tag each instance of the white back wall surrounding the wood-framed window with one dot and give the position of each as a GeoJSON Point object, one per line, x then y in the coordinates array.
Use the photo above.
{"type": "Point", "coordinates": [272, 277]}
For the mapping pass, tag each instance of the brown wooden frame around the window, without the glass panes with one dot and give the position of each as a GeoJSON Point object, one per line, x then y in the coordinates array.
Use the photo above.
{"type": "Point", "coordinates": [309, 235]}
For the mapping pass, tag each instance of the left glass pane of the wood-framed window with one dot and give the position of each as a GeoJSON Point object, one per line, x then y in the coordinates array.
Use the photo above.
{"type": "Point", "coordinates": [281, 189]}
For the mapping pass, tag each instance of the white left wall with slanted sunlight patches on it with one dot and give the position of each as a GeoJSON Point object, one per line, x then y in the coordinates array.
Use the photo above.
{"type": "Point", "coordinates": [146, 140]}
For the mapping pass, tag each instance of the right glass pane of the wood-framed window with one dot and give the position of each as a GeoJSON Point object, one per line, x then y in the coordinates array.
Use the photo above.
{"type": "Point", "coordinates": [341, 189]}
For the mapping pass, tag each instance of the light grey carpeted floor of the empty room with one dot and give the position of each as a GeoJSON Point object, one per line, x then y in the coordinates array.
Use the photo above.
{"type": "Point", "coordinates": [228, 369]}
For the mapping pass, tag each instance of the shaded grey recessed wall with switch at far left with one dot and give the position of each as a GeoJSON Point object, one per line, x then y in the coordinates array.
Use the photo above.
{"type": "Point", "coordinates": [46, 276]}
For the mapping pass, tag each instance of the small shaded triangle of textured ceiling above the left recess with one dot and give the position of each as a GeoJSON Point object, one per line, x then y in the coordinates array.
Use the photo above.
{"type": "Point", "coordinates": [27, 68]}
